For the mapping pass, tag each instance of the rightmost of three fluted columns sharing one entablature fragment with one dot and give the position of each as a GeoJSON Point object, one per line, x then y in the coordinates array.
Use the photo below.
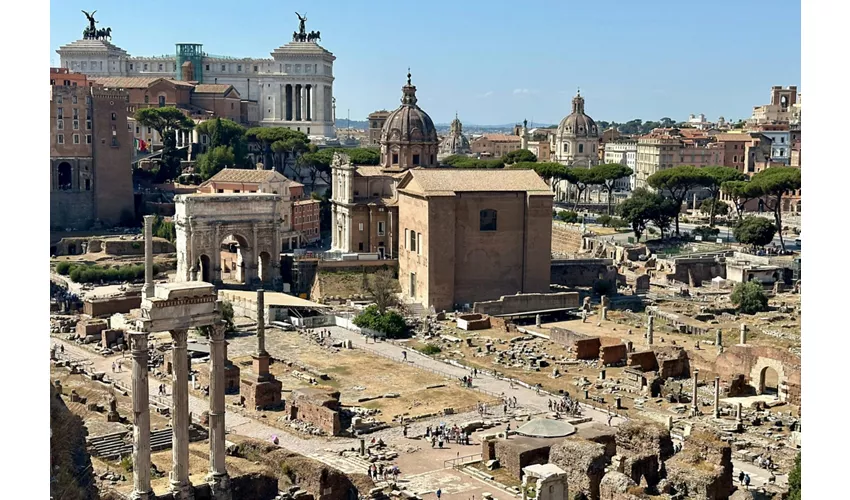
{"type": "Point", "coordinates": [217, 478]}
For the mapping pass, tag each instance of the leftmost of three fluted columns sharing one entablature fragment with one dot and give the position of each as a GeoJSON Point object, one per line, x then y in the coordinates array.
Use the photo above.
{"type": "Point", "coordinates": [141, 418]}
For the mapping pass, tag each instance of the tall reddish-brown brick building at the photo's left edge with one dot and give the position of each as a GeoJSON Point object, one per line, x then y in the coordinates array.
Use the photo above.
{"type": "Point", "coordinates": [90, 174]}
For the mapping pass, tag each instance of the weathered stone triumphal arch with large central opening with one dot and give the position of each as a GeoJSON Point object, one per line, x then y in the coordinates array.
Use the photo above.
{"type": "Point", "coordinates": [229, 238]}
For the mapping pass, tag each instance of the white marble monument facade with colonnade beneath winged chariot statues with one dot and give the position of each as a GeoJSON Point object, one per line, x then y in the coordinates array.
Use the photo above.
{"type": "Point", "coordinates": [293, 89]}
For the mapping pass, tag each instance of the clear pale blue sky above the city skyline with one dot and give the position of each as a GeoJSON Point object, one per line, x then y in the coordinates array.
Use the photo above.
{"type": "Point", "coordinates": [494, 61]}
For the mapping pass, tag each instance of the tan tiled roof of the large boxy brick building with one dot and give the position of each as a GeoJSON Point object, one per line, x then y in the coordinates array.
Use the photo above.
{"type": "Point", "coordinates": [452, 180]}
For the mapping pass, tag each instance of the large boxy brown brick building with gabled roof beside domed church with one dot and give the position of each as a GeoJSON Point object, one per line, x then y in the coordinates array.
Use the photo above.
{"type": "Point", "coordinates": [473, 235]}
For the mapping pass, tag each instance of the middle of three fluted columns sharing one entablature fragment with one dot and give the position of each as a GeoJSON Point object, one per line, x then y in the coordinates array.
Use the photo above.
{"type": "Point", "coordinates": [180, 485]}
